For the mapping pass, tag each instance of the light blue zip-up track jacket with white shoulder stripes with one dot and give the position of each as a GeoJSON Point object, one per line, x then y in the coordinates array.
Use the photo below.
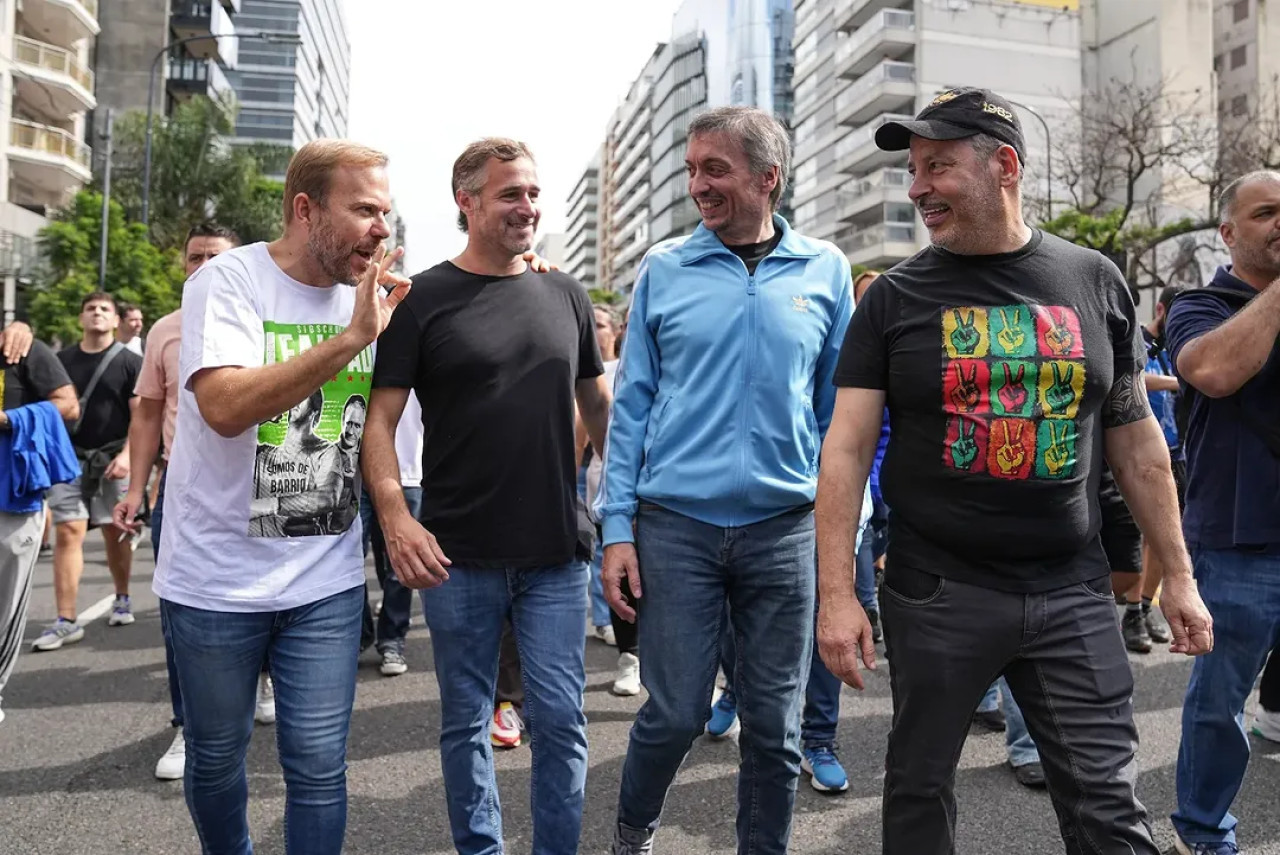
{"type": "Point", "coordinates": [725, 388]}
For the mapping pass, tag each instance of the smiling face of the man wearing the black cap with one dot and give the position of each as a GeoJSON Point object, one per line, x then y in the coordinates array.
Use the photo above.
{"type": "Point", "coordinates": [957, 191]}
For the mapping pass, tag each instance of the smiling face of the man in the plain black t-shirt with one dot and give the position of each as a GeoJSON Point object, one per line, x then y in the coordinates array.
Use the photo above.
{"type": "Point", "coordinates": [504, 216]}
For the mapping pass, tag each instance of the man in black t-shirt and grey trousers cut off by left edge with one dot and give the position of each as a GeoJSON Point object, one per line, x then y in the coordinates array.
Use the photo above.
{"type": "Point", "coordinates": [28, 381]}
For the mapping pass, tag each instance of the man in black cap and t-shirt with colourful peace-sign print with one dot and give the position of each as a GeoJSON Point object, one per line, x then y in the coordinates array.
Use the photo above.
{"type": "Point", "coordinates": [1012, 364]}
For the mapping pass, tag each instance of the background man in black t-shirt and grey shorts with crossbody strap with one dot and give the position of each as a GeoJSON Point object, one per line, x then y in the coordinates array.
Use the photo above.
{"type": "Point", "coordinates": [102, 443]}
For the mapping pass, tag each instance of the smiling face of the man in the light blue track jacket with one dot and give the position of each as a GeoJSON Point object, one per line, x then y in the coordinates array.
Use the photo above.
{"type": "Point", "coordinates": [733, 202]}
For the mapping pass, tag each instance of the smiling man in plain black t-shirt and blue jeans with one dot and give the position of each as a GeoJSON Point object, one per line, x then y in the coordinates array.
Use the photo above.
{"type": "Point", "coordinates": [499, 356]}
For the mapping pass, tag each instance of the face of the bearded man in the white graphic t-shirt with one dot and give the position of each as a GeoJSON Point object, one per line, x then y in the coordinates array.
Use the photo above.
{"type": "Point", "coordinates": [346, 231]}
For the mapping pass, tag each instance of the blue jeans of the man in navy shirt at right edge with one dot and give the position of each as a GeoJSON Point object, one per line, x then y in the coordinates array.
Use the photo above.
{"type": "Point", "coordinates": [1242, 592]}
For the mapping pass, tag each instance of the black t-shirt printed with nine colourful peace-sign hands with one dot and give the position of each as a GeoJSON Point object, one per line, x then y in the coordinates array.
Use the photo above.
{"type": "Point", "coordinates": [996, 369]}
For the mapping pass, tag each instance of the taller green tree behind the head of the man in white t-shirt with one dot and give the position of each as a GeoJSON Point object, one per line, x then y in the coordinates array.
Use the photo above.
{"type": "Point", "coordinates": [196, 175]}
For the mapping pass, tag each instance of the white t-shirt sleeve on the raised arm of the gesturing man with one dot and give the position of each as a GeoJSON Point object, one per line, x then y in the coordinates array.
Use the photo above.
{"type": "Point", "coordinates": [222, 322]}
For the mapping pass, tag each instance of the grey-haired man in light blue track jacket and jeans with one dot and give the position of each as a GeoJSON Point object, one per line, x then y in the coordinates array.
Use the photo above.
{"type": "Point", "coordinates": [724, 395]}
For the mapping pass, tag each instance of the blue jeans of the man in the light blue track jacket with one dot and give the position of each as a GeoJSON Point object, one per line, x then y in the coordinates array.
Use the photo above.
{"type": "Point", "coordinates": [766, 571]}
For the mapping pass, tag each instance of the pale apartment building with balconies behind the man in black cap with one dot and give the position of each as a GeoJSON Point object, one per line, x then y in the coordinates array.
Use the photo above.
{"type": "Point", "coordinates": [861, 63]}
